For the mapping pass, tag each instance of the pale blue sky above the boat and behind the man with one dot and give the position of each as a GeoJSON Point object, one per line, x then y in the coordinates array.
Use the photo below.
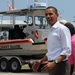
{"type": "Point", "coordinates": [66, 8]}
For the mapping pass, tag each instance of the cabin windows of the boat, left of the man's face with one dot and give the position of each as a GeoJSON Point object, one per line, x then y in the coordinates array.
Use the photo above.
{"type": "Point", "coordinates": [37, 21]}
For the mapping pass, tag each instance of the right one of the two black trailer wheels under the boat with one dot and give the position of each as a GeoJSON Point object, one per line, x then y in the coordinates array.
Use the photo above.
{"type": "Point", "coordinates": [15, 65]}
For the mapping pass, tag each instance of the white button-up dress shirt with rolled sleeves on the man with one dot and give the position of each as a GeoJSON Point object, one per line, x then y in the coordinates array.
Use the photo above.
{"type": "Point", "coordinates": [59, 41]}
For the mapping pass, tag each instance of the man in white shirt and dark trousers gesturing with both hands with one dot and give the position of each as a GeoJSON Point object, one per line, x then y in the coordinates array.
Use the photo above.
{"type": "Point", "coordinates": [58, 46]}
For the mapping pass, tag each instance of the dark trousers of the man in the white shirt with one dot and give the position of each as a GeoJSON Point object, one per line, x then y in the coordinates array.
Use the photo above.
{"type": "Point", "coordinates": [62, 68]}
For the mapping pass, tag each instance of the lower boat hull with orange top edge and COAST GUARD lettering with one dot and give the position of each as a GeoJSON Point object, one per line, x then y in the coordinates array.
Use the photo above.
{"type": "Point", "coordinates": [21, 47]}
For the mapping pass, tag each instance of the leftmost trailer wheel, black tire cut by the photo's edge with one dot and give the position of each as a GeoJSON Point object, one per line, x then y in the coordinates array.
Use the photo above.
{"type": "Point", "coordinates": [4, 64]}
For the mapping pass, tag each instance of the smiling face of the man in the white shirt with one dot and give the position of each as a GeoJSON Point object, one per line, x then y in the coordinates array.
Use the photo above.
{"type": "Point", "coordinates": [51, 16]}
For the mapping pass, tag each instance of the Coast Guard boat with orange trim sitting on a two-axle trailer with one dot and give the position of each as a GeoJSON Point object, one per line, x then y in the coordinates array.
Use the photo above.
{"type": "Point", "coordinates": [16, 52]}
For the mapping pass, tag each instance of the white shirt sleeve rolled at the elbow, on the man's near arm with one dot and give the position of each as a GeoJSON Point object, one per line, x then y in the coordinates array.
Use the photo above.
{"type": "Point", "coordinates": [65, 42]}
